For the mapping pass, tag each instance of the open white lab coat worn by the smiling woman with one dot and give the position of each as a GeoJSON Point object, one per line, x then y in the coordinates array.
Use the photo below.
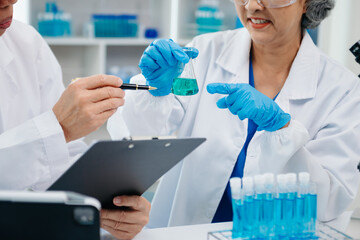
{"type": "Point", "coordinates": [322, 97]}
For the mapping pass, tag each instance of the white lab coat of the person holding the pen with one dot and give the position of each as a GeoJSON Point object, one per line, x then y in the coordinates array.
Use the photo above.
{"type": "Point", "coordinates": [33, 151]}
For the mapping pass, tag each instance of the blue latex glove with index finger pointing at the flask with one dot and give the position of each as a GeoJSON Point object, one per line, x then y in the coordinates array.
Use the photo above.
{"type": "Point", "coordinates": [247, 102]}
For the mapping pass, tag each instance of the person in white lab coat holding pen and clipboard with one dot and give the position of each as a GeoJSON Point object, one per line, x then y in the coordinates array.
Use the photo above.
{"type": "Point", "coordinates": [40, 122]}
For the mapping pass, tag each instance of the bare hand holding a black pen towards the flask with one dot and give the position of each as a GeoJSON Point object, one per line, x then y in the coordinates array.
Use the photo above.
{"type": "Point", "coordinates": [87, 103]}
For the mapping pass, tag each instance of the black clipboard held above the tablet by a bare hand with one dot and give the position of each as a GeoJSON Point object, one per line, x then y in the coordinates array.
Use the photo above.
{"type": "Point", "coordinates": [114, 168]}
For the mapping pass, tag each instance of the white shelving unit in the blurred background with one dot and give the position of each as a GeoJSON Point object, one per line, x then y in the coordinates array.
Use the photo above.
{"type": "Point", "coordinates": [81, 56]}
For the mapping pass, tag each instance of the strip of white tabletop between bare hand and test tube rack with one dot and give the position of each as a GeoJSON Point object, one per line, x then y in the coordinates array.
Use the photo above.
{"type": "Point", "coordinates": [192, 232]}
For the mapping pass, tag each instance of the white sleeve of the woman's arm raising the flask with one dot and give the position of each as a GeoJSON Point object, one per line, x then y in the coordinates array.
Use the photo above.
{"type": "Point", "coordinates": [146, 115]}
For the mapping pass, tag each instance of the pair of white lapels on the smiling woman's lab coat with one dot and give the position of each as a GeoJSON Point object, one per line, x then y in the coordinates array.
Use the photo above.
{"type": "Point", "coordinates": [303, 77]}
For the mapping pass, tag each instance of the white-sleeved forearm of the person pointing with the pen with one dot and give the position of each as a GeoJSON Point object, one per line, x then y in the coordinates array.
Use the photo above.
{"type": "Point", "coordinates": [30, 153]}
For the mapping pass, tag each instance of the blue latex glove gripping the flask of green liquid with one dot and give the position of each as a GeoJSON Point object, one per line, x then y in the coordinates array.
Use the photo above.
{"type": "Point", "coordinates": [161, 62]}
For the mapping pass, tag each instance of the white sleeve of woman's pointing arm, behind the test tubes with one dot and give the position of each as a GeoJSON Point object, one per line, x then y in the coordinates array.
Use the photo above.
{"type": "Point", "coordinates": [331, 156]}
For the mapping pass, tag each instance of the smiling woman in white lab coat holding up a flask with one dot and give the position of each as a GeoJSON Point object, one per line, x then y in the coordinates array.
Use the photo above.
{"type": "Point", "coordinates": [312, 125]}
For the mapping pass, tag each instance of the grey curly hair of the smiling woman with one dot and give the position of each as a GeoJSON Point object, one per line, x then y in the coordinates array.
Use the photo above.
{"type": "Point", "coordinates": [316, 11]}
